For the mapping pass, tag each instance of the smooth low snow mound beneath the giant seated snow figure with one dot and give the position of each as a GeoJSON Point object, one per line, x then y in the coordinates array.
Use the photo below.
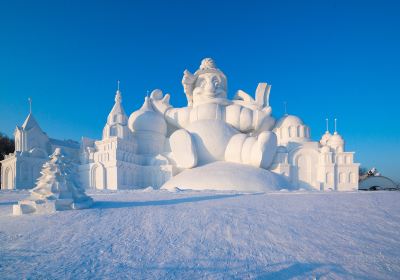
{"type": "Point", "coordinates": [224, 176]}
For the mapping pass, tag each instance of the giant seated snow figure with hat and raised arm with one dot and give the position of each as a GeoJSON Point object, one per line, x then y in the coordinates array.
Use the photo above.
{"type": "Point", "coordinates": [213, 128]}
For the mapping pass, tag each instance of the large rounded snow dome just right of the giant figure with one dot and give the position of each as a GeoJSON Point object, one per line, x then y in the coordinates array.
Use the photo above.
{"type": "Point", "coordinates": [291, 128]}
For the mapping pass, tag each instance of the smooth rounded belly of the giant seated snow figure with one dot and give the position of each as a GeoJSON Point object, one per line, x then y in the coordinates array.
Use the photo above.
{"type": "Point", "coordinates": [211, 138]}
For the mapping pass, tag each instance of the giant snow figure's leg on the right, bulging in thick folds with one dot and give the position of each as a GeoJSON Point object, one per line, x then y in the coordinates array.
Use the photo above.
{"type": "Point", "coordinates": [258, 152]}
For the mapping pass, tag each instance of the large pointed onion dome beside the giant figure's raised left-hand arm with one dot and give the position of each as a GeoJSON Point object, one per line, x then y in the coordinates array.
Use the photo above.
{"type": "Point", "coordinates": [147, 119]}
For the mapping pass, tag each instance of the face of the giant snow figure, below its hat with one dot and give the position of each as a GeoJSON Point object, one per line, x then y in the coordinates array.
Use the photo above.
{"type": "Point", "coordinates": [209, 86]}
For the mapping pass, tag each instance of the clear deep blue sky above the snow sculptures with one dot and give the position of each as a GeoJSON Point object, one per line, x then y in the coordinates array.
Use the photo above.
{"type": "Point", "coordinates": [325, 58]}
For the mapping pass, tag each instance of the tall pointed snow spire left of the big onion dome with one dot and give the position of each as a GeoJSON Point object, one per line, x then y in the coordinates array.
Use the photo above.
{"type": "Point", "coordinates": [117, 121]}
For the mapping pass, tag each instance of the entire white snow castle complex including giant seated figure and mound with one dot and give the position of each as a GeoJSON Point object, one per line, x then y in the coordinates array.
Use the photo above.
{"type": "Point", "coordinates": [212, 143]}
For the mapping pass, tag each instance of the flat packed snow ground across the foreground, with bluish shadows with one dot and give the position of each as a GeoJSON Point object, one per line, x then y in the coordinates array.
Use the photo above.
{"type": "Point", "coordinates": [191, 235]}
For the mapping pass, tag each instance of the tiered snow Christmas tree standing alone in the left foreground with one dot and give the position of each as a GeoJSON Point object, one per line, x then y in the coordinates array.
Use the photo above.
{"type": "Point", "coordinates": [55, 190]}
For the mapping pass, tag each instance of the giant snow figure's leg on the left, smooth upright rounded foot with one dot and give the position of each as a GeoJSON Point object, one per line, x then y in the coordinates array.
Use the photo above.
{"type": "Point", "coordinates": [183, 149]}
